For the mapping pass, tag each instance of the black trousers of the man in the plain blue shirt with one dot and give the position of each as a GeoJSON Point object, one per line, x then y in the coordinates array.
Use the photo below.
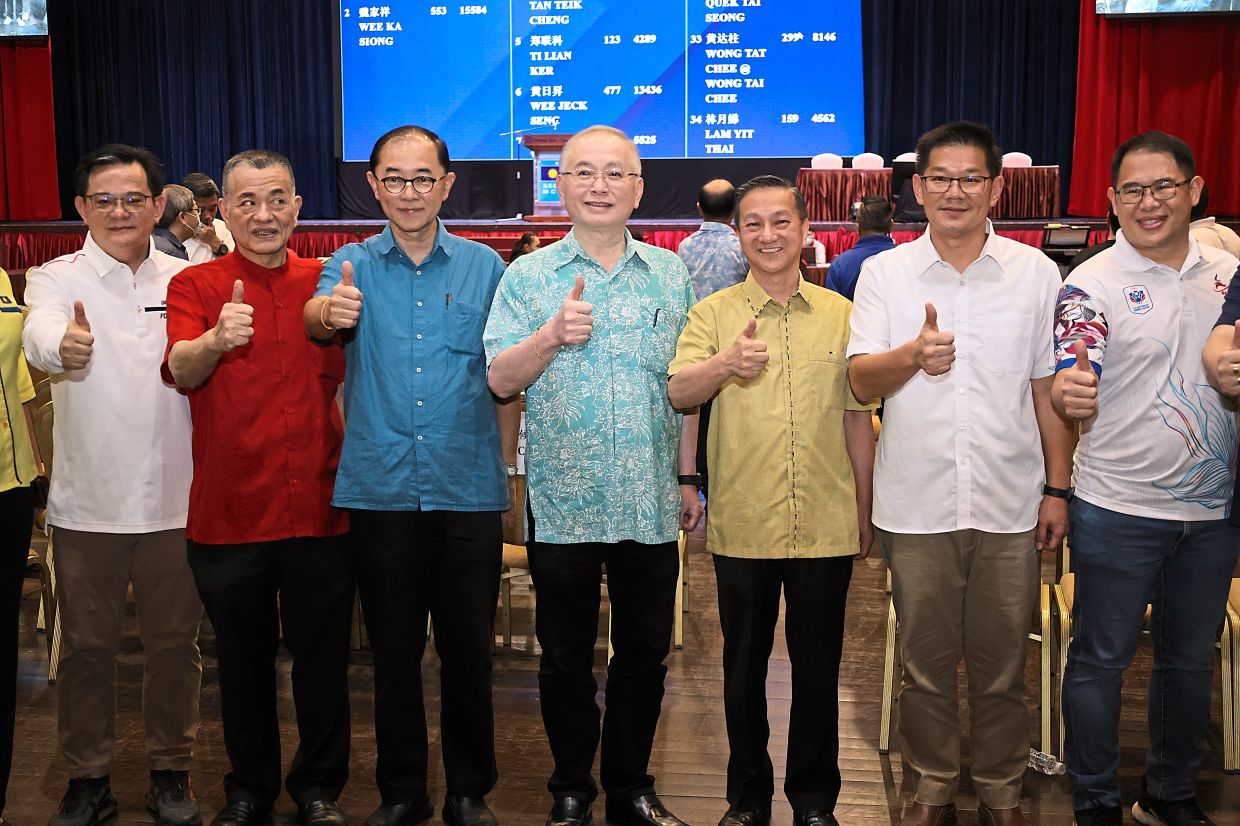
{"type": "Point", "coordinates": [447, 565]}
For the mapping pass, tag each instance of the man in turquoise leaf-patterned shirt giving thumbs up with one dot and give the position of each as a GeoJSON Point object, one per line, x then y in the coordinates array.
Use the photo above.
{"type": "Point", "coordinates": [588, 327]}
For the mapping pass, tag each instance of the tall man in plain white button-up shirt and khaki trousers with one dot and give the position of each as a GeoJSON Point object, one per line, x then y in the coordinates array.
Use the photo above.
{"type": "Point", "coordinates": [954, 332]}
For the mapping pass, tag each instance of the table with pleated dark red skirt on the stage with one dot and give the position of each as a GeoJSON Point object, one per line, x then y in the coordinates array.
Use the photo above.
{"type": "Point", "coordinates": [1029, 193]}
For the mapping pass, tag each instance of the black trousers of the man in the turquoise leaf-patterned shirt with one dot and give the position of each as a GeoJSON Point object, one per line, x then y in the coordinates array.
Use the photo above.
{"type": "Point", "coordinates": [642, 586]}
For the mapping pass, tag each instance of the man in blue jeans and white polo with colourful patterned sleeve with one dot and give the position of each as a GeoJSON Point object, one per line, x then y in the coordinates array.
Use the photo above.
{"type": "Point", "coordinates": [1154, 482]}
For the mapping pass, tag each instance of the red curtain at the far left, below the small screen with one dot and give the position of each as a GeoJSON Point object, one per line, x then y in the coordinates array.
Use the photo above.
{"type": "Point", "coordinates": [28, 136]}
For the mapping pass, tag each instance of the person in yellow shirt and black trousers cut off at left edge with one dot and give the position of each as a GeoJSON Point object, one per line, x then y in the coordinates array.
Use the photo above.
{"type": "Point", "coordinates": [18, 471]}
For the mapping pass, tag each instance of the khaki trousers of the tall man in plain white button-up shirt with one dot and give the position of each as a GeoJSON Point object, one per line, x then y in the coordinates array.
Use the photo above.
{"type": "Point", "coordinates": [964, 595]}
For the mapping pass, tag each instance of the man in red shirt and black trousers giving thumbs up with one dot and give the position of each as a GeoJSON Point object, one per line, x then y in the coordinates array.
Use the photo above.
{"type": "Point", "coordinates": [265, 541]}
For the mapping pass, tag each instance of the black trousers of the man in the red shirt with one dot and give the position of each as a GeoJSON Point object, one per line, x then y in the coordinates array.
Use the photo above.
{"type": "Point", "coordinates": [250, 591]}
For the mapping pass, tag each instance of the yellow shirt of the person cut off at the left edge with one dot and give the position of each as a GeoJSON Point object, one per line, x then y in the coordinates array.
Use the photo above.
{"type": "Point", "coordinates": [17, 458]}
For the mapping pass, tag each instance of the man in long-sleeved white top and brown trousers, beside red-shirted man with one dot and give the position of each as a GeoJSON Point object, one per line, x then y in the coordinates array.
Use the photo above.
{"type": "Point", "coordinates": [121, 488]}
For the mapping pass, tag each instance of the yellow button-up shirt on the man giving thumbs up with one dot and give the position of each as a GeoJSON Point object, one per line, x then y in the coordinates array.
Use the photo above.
{"type": "Point", "coordinates": [782, 486]}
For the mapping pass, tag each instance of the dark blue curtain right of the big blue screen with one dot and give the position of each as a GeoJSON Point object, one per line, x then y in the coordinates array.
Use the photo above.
{"type": "Point", "coordinates": [1010, 65]}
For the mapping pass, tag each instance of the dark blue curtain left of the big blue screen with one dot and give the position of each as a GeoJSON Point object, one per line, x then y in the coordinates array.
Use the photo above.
{"type": "Point", "coordinates": [197, 82]}
